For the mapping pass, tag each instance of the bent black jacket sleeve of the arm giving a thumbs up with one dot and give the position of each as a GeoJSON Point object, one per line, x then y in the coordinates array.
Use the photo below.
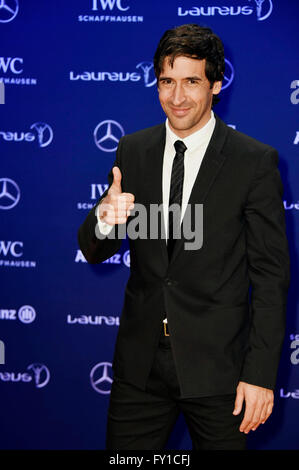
{"type": "Point", "coordinates": [94, 244]}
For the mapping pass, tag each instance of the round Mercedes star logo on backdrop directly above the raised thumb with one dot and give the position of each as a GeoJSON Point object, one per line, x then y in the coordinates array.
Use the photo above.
{"type": "Point", "coordinates": [107, 135]}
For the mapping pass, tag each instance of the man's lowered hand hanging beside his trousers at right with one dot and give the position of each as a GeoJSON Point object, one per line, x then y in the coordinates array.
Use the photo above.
{"type": "Point", "coordinates": [259, 403]}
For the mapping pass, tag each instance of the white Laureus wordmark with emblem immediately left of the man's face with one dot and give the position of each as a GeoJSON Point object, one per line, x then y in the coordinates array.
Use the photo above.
{"type": "Point", "coordinates": [145, 73]}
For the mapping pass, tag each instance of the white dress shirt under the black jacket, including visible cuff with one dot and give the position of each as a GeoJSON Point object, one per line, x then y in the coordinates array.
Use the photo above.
{"type": "Point", "coordinates": [196, 144]}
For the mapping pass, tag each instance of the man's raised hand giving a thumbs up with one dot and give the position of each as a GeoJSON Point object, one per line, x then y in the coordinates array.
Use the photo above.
{"type": "Point", "coordinates": [115, 207]}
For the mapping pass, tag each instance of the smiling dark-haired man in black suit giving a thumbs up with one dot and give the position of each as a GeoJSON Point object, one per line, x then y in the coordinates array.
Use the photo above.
{"type": "Point", "coordinates": [201, 329]}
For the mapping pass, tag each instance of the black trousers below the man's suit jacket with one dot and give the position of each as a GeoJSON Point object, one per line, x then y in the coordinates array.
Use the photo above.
{"type": "Point", "coordinates": [143, 420]}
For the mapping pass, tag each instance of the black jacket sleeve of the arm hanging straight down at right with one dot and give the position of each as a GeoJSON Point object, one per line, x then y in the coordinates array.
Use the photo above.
{"type": "Point", "coordinates": [268, 267]}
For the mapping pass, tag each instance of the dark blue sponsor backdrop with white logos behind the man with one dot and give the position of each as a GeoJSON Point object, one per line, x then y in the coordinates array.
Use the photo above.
{"type": "Point", "coordinates": [75, 76]}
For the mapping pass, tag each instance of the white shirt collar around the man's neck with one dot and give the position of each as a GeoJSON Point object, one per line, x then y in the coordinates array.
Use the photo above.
{"type": "Point", "coordinates": [194, 140]}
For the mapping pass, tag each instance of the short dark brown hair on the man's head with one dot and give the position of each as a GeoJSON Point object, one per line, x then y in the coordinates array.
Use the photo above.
{"type": "Point", "coordinates": [198, 42]}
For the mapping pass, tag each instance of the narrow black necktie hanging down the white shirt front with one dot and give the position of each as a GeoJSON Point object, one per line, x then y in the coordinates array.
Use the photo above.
{"type": "Point", "coordinates": [175, 195]}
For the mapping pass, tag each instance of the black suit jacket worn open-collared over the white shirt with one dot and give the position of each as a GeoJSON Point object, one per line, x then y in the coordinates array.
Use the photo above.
{"type": "Point", "coordinates": [226, 301]}
